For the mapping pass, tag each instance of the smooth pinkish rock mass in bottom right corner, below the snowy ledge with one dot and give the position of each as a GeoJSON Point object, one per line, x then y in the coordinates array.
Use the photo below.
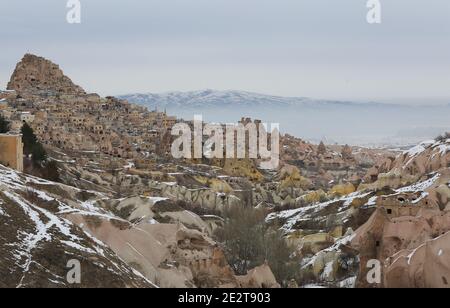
{"type": "Point", "coordinates": [398, 240]}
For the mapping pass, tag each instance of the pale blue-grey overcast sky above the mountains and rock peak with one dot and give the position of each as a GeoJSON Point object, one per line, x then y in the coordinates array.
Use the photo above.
{"type": "Point", "coordinates": [315, 48]}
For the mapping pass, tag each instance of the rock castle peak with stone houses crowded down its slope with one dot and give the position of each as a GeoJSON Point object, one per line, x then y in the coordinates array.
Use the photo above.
{"type": "Point", "coordinates": [64, 116]}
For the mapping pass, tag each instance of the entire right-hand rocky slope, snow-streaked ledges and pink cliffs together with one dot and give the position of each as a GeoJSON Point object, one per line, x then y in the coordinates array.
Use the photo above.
{"type": "Point", "coordinates": [401, 219]}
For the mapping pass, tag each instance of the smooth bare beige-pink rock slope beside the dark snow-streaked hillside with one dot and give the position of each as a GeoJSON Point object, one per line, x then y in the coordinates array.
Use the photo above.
{"type": "Point", "coordinates": [170, 255]}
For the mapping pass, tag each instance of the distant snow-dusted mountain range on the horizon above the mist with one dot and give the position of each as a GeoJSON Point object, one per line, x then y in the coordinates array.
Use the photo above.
{"type": "Point", "coordinates": [214, 99]}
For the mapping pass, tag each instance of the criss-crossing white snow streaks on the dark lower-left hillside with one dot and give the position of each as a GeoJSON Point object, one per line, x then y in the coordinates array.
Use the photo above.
{"type": "Point", "coordinates": [43, 226]}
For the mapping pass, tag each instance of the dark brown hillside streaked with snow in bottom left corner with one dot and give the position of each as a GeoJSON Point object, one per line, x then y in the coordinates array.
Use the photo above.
{"type": "Point", "coordinates": [37, 241]}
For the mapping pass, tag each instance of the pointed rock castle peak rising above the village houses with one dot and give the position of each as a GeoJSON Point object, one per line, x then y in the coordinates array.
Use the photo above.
{"type": "Point", "coordinates": [35, 73]}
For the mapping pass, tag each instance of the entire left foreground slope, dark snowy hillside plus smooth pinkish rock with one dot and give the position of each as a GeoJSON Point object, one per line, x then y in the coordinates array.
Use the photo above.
{"type": "Point", "coordinates": [118, 242]}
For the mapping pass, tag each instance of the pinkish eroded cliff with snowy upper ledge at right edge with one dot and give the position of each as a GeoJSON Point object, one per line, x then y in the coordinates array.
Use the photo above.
{"type": "Point", "coordinates": [409, 231]}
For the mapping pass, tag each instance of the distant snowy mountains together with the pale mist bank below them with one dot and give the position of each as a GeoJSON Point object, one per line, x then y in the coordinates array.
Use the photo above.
{"type": "Point", "coordinates": [369, 123]}
